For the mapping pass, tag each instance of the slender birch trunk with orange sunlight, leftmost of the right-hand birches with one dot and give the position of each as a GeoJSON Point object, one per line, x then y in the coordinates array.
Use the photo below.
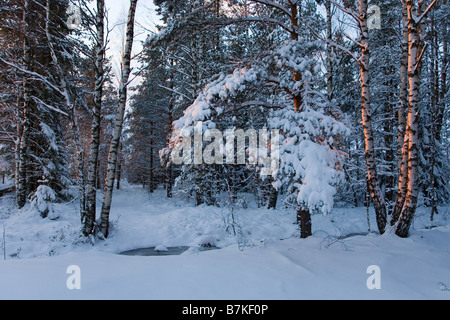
{"type": "Point", "coordinates": [372, 174]}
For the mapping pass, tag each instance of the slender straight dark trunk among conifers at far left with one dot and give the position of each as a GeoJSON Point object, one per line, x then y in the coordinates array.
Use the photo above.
{"type": "Point", "coordinates": [25, 113]}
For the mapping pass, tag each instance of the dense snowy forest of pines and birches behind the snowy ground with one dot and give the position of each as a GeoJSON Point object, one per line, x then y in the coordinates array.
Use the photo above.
{"type": "Point", "coordinates": [349, 99]}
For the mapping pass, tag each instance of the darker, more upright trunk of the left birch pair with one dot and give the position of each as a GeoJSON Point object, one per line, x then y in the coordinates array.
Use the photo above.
{"type": "Point", "coordinates": [91, 193]}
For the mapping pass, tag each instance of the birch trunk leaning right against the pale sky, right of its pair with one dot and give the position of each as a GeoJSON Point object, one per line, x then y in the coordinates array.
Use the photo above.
{"type": "Point", "coordinates": [118, 125]}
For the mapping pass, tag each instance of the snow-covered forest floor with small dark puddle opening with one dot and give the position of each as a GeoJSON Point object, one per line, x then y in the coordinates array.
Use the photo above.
{"type": "Point", "coordinates": [265, 260]}
